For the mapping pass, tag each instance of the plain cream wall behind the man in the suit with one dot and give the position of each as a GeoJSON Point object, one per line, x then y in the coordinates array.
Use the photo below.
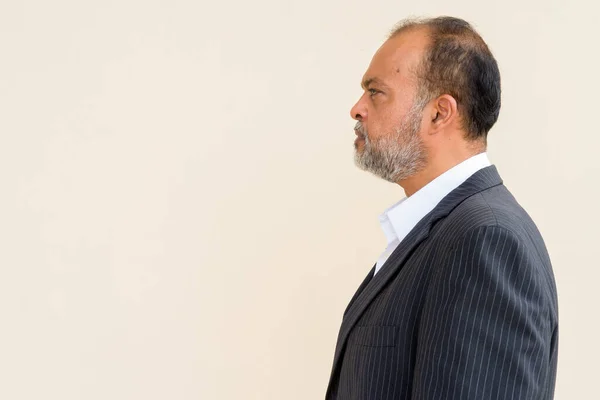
{"type": "Point", "coordinates": [180, 216]}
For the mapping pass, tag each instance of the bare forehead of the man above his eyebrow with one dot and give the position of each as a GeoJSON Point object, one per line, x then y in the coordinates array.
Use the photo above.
{"type": "Point", "coordinates": [395, 61]}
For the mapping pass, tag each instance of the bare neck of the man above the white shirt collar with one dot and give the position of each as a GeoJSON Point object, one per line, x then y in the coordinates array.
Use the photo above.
{"type": "Point", "coordinates": [433, 169]}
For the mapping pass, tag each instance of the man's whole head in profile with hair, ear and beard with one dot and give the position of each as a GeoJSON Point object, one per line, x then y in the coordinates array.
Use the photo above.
{"type": "Point", "coordinates": [431, 95]}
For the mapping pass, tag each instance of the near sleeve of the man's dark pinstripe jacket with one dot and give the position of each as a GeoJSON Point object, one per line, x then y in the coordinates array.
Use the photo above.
{"type": "Point", "coordinates": [484, 331]}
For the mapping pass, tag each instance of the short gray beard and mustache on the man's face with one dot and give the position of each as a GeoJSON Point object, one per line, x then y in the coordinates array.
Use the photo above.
{"type": "Point", "coordinates": [396, 156]}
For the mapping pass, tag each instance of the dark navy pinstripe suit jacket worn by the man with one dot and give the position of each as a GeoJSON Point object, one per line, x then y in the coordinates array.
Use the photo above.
{"type": "Point", "coordinates": [464, 308]}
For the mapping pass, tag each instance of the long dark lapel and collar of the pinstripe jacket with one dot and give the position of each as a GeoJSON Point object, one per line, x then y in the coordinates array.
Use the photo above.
{"type": "Point", "coordinates": [481, 180]}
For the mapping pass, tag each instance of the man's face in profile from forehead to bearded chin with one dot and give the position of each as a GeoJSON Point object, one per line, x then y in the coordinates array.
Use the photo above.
{"type": "Point", "coordinates": [389, 114]}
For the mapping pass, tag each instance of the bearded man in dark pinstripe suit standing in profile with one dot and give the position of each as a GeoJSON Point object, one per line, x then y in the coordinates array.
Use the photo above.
{"type": "Point", "coordinates": [462, 303]}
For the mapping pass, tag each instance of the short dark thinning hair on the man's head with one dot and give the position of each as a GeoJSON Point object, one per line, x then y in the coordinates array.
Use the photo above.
{"type": "Point", "coordinates": [459, 63]}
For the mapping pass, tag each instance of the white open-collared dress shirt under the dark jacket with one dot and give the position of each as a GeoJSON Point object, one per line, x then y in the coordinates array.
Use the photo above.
{"type": "Point", "coordinates": [398, 220]}
